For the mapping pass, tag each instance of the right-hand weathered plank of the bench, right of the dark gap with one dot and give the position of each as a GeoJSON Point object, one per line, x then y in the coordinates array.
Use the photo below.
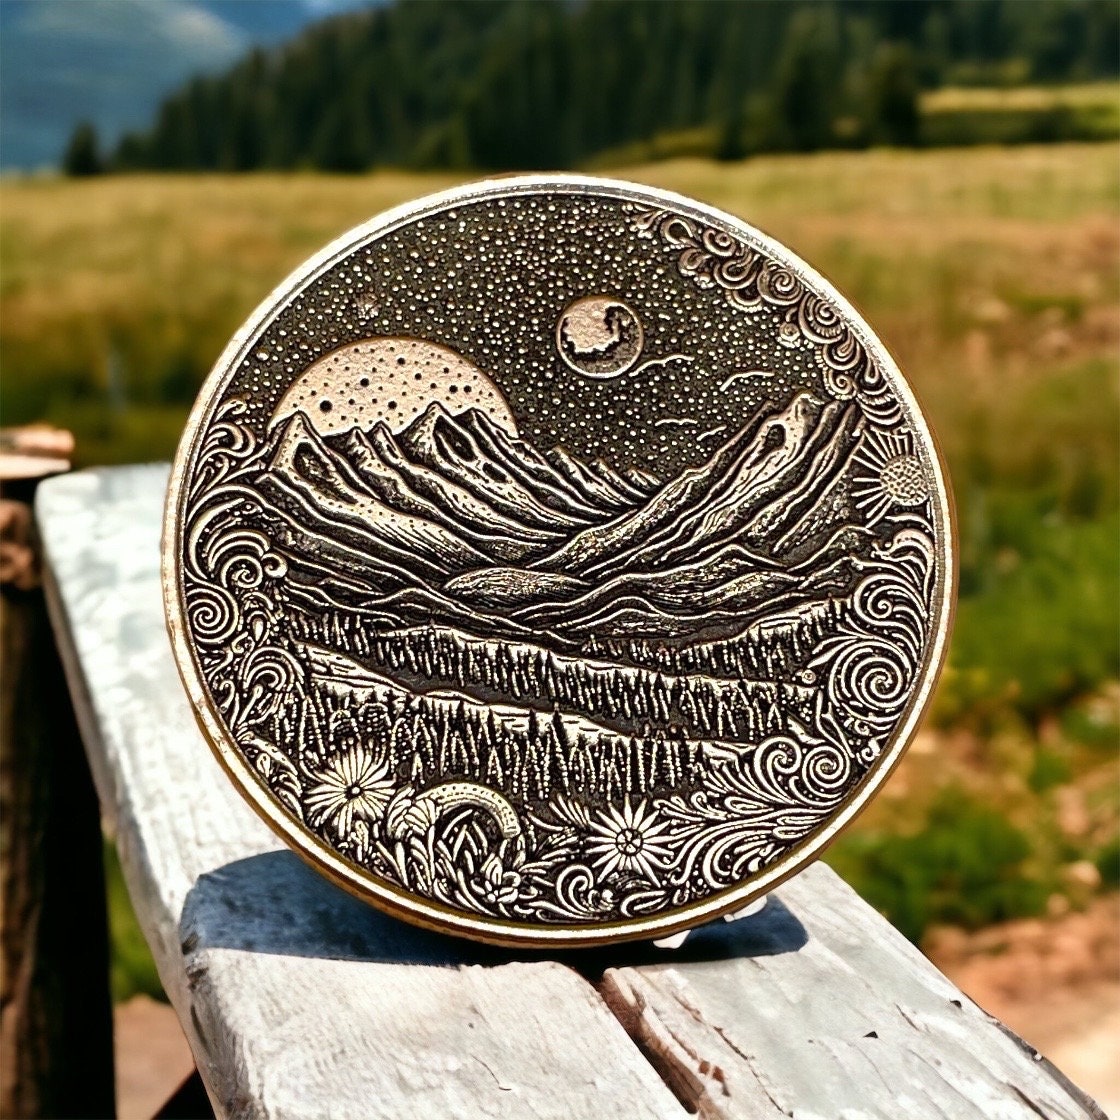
{"type": "Point", "coordinates": [829, 1012]}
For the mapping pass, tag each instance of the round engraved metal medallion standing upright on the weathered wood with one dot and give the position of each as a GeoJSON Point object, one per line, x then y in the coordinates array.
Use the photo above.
{"type": "Point", "coordinates": [558, 561]}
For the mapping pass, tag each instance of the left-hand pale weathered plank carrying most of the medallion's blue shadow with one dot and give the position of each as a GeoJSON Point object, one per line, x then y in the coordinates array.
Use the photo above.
{"type": "Point", "coordinates": [297, 1001]}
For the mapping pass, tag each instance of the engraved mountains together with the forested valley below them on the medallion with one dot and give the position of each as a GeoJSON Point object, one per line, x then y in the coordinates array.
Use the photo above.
{"type": "Point", "coordinates": [561, 622]}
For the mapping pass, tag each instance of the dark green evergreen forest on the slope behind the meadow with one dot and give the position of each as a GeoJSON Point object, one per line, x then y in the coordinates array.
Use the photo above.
{"type": "Point", "coordinates": [539, 85]}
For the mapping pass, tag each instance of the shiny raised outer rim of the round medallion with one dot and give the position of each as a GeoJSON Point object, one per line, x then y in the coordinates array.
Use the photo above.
{"type": "Point", "coordinates": [365, 884]}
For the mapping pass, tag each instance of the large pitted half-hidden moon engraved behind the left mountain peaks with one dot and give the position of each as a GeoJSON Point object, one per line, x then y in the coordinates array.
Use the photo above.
{"type": "Point", "coordinates": [391, 380]}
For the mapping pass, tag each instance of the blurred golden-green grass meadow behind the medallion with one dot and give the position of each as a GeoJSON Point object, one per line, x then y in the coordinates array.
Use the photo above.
{"type": "Point", "coordinates": [991, 274]}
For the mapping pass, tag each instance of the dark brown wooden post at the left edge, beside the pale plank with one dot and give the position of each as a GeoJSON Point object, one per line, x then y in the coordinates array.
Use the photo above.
{"type": "Point", "coordinates": [57, 1058]}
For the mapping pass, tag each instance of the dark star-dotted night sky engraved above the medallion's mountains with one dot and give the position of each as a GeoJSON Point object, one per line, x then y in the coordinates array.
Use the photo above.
{"type": "Point", "coordinates": [491, 278]}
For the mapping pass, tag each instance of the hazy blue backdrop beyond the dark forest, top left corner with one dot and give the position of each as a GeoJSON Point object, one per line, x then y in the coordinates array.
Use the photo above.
{"type": "Point", "coordinates": [113, 61]}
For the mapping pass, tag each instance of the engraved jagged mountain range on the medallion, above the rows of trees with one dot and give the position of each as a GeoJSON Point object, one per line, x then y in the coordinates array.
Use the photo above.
{"type": "Point", "coordinates": [458, 522]}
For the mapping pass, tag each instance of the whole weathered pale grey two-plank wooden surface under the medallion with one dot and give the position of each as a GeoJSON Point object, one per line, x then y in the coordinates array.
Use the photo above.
{"type": "Point", "coordinates": [298, 1001]}
